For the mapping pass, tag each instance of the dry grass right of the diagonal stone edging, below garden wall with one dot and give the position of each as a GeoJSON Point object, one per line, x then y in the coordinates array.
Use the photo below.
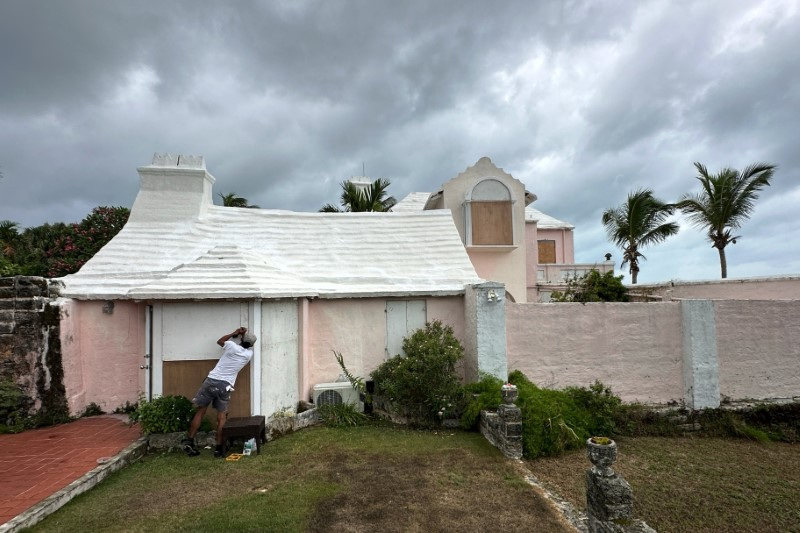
{"type": "Point", "coordinates": [695, 484]}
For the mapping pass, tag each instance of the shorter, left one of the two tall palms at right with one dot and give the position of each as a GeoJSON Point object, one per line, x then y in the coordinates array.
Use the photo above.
{"type": "Point", "coordinates": [637, 223]}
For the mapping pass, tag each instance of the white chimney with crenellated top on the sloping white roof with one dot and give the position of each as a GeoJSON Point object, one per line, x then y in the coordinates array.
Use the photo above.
{"type": "Point", "coordinates": [172, 187]}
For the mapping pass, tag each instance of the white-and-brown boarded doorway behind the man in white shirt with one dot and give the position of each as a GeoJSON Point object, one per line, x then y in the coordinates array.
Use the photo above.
{"type": "Point", "coordinates": [185, 336]}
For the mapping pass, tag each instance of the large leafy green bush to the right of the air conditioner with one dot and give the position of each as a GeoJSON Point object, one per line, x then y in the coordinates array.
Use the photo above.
{"type": "Point", "coordinates": [423, 385]}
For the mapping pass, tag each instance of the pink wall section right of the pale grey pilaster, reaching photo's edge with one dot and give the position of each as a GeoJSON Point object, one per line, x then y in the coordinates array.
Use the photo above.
{"type": "Point", "coordinates": [758, 345]}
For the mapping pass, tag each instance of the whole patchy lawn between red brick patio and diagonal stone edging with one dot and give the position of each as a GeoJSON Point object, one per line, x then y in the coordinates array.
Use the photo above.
{"type": "Point", "coordinates": [370, 478]}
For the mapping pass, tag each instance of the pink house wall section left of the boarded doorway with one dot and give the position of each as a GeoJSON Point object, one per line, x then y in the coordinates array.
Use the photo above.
{"type": "Point", "coordinates": [101, 353]}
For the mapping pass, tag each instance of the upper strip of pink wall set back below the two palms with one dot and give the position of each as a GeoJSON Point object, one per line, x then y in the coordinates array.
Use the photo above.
{"type": "Point", "coordinates": [777, 288]}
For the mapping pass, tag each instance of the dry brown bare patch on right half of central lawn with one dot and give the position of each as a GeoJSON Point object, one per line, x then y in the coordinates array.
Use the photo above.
{"type": "Point", "coordinates": [441, 492]}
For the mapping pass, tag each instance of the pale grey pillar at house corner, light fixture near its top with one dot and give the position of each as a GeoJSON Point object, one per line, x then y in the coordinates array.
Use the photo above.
{"type": "Point", "coordinates": [485, 331]}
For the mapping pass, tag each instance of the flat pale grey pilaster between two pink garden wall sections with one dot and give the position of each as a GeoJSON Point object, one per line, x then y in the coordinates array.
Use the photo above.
{"type": "Point", "coordinates": [700, 364]}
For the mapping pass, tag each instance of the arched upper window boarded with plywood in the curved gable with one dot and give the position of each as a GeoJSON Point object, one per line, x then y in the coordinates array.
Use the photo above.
{"type": "Point", "coordinates": [489, 214]}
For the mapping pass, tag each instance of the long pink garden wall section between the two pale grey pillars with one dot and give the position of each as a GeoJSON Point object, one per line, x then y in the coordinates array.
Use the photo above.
{"type": "Point", "coordinates": [636, 349]}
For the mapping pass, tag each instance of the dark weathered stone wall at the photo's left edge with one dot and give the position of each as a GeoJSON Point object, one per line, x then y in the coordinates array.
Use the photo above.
{"type": "Point", "coordinates": [30, 347]}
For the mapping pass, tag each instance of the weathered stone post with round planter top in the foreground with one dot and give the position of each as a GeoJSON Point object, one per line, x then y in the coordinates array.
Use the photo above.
{"type": "Point", "coordinates": [609, 498]}
